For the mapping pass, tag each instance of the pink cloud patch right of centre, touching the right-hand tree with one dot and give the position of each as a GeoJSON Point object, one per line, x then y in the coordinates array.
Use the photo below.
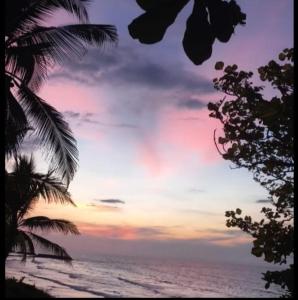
{"type": "Point", "coordinates": [181, 135]}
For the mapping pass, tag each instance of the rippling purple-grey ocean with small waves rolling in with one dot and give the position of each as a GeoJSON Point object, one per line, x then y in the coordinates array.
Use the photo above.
{"type": "Point", "coordinates": [116, 276]}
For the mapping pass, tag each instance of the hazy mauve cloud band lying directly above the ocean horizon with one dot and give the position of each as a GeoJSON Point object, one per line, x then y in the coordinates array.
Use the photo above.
{"type": "Point", "coordinates": [94, 246]}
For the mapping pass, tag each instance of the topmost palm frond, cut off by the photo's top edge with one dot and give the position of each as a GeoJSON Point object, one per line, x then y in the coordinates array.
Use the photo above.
{"type": "Point", "coordinates": [32, 12]}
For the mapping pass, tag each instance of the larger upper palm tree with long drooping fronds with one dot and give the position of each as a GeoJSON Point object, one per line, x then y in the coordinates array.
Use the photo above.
{"type": "Point", "coordinates": [31, 49]}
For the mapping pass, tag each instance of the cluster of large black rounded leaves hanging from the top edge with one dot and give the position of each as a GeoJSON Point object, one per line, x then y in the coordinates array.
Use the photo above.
{"type": "Point", "coordinates": [210, 19]}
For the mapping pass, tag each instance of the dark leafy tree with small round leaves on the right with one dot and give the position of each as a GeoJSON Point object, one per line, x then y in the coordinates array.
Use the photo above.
{"type": "Point", "coordinates": [258, 135]}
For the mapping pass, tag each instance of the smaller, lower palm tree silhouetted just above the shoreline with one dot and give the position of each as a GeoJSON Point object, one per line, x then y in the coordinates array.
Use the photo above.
{"type": "Point", "coordinates": [24, 187]}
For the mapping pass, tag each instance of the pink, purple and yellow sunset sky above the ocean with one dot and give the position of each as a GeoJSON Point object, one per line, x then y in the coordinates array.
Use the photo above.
{"type": "Point", "coordinates": [150, 180]}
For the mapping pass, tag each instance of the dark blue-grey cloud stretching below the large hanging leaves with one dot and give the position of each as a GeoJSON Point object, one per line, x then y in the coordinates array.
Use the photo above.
{"type": "Point", "coordinates": [123, 65]}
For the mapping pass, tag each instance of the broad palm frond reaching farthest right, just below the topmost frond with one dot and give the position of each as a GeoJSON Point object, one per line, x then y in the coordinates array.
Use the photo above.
{"type": "Point", "coordinates": [38, 50]}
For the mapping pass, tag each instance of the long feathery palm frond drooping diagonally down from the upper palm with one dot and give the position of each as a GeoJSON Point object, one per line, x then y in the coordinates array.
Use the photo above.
{"type": "Point", "coordinates": [54, 132]}
